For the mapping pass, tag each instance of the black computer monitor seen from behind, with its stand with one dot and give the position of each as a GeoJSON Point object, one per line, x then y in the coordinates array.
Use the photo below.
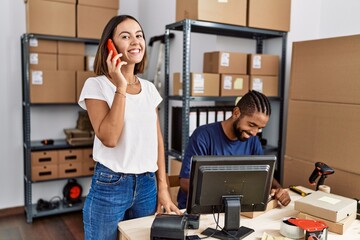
{"type": "Point", "coordinates": [229, 184]}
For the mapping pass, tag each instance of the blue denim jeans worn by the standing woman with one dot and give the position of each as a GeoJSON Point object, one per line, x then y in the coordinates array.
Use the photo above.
{"type": "Point", "coordinates": [114, 197]}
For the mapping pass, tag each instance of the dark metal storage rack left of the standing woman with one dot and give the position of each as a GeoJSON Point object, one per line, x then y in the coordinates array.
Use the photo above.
{"type": "Point", "coordinates": [28, 145]}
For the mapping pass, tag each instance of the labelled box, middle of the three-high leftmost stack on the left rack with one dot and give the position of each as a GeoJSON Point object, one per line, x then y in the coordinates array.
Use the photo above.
{"type": "Point", "coordinates": [43, 61]}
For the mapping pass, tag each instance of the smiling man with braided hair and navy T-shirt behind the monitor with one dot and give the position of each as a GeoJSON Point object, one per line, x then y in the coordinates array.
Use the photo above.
{"type": "Point", "coordinates": [234, 136]}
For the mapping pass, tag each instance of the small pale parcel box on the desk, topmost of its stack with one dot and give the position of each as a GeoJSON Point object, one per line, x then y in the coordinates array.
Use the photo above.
{"type": "Point", "coordinates": [328, 206]}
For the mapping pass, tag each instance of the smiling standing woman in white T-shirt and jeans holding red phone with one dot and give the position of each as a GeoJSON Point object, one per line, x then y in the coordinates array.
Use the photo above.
{"type": "Point", "coordinates": [128, 146]}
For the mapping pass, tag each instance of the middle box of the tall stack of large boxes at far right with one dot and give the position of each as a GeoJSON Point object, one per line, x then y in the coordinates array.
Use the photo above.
{"type": "Point", "coordinates": [325, 132]}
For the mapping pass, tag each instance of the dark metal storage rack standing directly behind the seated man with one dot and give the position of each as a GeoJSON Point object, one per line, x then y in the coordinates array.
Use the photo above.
{"type": "Point", "coordinates": [187, 26]}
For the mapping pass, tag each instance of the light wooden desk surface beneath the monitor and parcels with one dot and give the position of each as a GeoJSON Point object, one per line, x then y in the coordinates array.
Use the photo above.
{"type": "Point", "coordinates": [139, 229]}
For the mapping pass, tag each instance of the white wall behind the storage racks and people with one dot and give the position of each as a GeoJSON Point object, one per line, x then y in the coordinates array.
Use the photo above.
{"type": "Point", "coordinates": [309, 20]}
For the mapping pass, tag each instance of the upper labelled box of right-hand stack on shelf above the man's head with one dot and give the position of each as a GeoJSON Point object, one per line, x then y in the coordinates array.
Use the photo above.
{"type": "Point", "coordinates": [263, 64]}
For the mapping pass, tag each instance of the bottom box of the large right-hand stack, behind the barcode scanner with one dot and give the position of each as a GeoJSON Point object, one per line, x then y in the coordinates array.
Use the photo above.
{"type": "Point", "coordinates": [297, 172]}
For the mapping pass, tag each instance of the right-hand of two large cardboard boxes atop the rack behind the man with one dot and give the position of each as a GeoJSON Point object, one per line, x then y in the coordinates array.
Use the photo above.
{"type": "Point", "coordinates": [273, 15]}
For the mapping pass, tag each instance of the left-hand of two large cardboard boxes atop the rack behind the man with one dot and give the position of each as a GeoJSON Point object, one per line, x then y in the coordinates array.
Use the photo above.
{"type": "Point", "coordinates": [230, 11]}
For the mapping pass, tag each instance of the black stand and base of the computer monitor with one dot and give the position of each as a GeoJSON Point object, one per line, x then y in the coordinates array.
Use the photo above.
{"type": "Point", "coordinates": [231, 228]}
